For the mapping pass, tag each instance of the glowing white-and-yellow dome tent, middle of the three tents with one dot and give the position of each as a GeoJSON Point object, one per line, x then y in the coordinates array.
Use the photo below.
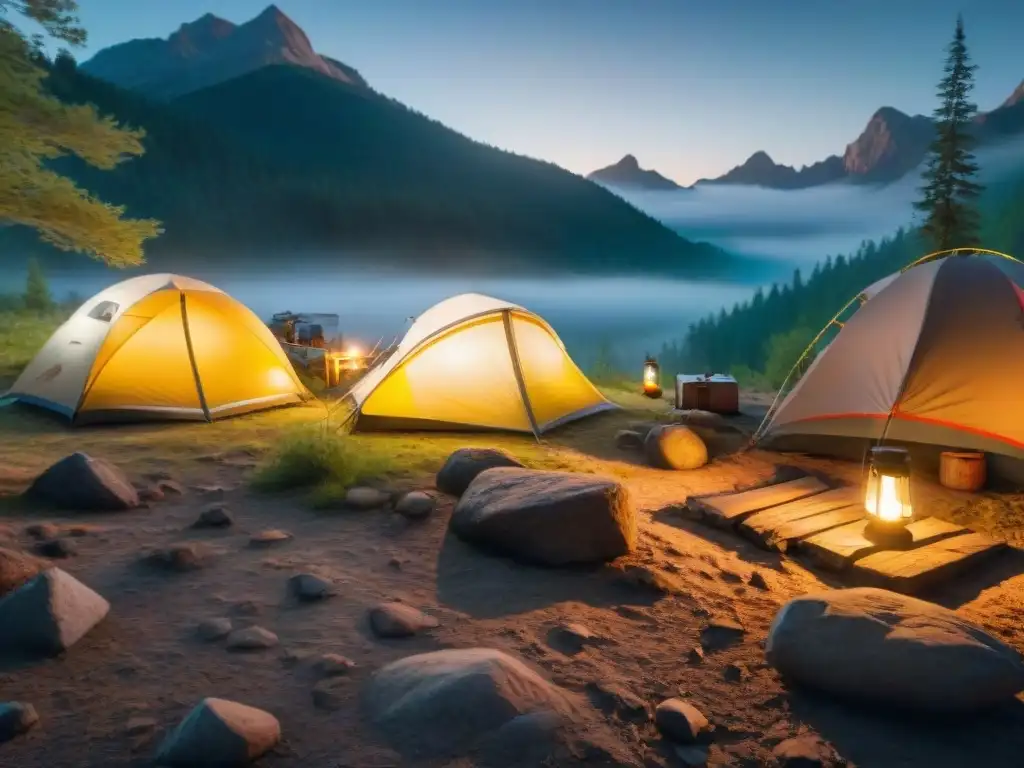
{"type": "Point", "coordinates": [476, 363]}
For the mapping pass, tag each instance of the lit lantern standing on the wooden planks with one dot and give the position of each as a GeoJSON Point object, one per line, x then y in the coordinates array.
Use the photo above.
{"type": "Point", "coordinates": [887, 497]}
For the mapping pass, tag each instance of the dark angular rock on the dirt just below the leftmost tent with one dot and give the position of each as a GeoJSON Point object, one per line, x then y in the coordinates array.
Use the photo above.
{"type": "Point", "coordinates": [81, 483]}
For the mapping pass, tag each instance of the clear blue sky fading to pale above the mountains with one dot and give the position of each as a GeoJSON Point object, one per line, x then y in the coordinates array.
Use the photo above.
{"type": "Point", "coordinates": [691, 89]}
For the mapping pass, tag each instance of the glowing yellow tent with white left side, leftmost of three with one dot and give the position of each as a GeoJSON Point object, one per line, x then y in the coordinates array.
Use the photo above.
{"type": "Point", "coordinates": [164, 348]}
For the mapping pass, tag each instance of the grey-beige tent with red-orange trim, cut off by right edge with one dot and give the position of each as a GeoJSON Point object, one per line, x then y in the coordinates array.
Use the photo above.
{"type": "Point", "coordinates": [931, 358]}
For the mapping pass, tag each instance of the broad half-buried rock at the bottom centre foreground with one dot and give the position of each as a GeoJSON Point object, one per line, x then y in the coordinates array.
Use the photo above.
{"type": "Point", "coordinates": [448, 701]}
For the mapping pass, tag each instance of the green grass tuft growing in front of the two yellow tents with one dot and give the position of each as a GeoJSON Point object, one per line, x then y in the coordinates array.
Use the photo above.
{"type": "Point", "coordinates": [321, 460]}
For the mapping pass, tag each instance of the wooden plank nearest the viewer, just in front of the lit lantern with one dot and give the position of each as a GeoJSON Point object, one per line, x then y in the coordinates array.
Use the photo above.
{"type": "Point", "coordinates": [911, 572]}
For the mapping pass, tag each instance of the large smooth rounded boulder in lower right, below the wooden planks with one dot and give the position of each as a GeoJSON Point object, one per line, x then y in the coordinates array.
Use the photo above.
{"type": "Point", "coordinates": [875, 646]}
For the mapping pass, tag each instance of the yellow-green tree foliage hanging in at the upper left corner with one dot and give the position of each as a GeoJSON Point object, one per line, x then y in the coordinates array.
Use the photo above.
{"type": "Point", "coordinates": [36, 129]}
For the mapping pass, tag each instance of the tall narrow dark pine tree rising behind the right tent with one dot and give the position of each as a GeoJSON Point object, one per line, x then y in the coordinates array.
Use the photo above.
{"type": "Point", "coordinates": [952, 220]}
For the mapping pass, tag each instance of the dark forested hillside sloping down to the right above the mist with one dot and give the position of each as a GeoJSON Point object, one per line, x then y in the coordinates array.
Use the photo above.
{"type": "Point", "coordinates": [288, 161]}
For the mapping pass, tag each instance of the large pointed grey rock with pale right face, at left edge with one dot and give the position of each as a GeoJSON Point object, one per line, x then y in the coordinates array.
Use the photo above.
{"type": "Point", "coordinates": [49, 615]}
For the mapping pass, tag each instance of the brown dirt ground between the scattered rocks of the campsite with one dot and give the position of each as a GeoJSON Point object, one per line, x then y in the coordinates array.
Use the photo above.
{"type": "Point", "coordinates": [146, 660]}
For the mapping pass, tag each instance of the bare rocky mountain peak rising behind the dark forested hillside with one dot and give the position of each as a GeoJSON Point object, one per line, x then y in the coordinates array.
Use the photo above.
{"type": "Point", "coordinates": [211, 51]}
